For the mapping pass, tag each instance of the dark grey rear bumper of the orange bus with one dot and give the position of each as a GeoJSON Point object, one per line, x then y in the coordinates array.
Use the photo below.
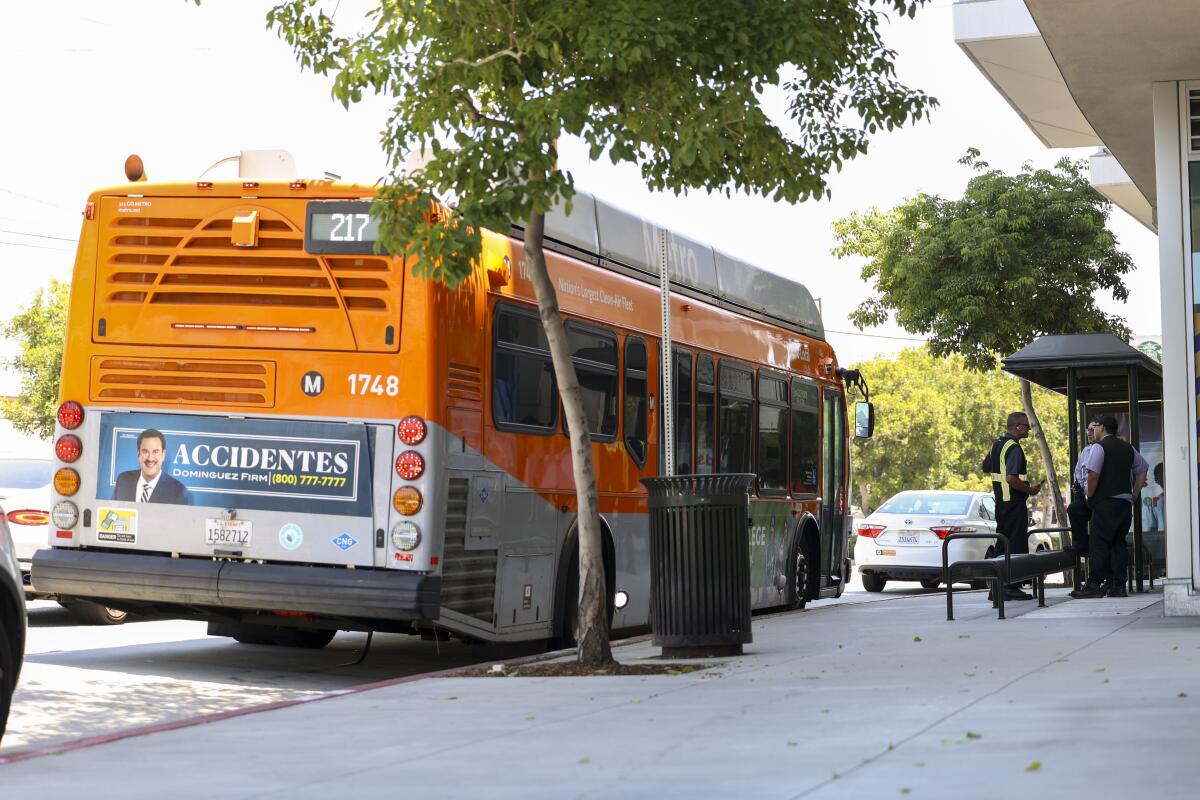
{"type": "Point", "coordinates": [337, 592]}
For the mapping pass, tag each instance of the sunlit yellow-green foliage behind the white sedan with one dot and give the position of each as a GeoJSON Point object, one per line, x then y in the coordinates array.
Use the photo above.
{"type": "Point", "coordinates": [934, 423]}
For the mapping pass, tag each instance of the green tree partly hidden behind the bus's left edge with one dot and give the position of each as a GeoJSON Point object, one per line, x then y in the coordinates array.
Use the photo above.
{"type": "Point", "coordinates": [39, 329]}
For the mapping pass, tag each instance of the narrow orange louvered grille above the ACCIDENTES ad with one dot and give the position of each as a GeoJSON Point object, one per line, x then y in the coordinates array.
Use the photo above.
{"type": "Point", "coordinates": [185, 382]}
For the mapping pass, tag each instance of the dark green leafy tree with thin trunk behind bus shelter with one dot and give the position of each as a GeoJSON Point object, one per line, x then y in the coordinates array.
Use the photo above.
{"type": "Point", "coordinates": [1016, 258]}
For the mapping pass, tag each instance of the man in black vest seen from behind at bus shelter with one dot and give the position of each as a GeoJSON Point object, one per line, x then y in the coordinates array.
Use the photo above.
{"type": "Point", "coordinates": [1115, 474]}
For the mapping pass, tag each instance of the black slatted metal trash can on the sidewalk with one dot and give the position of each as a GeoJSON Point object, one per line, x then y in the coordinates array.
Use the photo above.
{"type": "Point", "coordinates": [700, 564]}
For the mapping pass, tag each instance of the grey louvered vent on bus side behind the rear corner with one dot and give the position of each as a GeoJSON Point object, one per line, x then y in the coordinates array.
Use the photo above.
{"type": "Point", "coordinates": [469, 578]}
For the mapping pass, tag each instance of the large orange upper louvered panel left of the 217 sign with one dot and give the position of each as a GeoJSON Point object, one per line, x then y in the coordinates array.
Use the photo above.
{"type": "Point", "coordinates": [171, 268]}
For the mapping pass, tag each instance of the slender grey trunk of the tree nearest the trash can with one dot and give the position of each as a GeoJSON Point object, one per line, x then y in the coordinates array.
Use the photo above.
{"type": "Point", "coordinates": [592, 627]}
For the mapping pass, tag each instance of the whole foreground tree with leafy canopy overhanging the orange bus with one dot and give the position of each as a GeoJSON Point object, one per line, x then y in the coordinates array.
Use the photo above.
{"type": "Point", "coordinates": [488, 88]}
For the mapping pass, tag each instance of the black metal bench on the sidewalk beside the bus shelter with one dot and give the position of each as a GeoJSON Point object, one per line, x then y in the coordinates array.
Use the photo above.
{"type": "Point", "coordinates": [1004, 570]}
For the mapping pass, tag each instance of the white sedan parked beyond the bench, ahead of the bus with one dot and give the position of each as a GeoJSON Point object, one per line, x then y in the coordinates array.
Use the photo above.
{"type": "Point", "coordinates": [903, 539]}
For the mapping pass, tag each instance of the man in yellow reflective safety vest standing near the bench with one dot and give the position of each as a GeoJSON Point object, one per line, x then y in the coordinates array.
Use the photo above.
{"type": "Point", "coordinates": [1006, 467]}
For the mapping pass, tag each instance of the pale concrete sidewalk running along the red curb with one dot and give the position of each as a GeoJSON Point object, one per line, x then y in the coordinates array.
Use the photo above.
{"type": "Point", "coordinates": [857, 701]}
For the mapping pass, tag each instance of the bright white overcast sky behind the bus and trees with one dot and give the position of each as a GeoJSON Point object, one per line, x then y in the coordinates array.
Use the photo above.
{"type": "Point", "coordinates": [87, 85]}
